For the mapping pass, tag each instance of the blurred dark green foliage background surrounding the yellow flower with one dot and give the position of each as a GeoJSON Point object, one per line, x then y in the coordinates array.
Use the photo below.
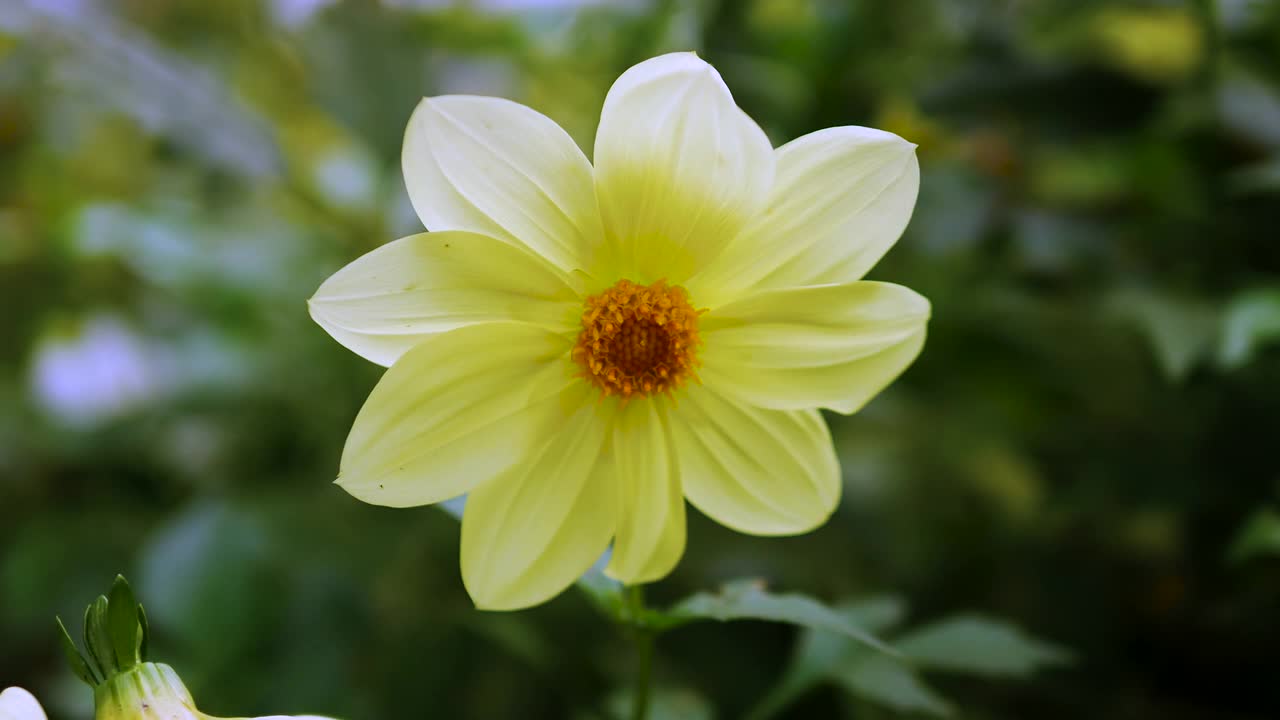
{"type": "Point", "coordinates": [1086, 449]}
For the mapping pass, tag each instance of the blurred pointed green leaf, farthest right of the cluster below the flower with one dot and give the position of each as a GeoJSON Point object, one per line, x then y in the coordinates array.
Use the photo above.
{"type": "Point", "coordinates": [982, 646]}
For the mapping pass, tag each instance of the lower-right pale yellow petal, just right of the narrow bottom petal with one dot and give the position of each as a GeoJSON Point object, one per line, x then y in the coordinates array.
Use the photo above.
{"type": "Point", "coordinates": [760, 472]}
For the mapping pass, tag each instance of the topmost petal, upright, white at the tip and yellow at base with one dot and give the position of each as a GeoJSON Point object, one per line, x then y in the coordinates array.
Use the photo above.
{"type": "Point", "coordinates": [679, 168]}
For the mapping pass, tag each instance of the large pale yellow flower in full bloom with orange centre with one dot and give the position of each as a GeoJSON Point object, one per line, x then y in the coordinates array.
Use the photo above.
{"type": "Point", "coordinates": [580, 349]}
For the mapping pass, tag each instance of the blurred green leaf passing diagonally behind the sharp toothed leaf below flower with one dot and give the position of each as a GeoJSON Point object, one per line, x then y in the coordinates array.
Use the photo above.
{"type": "Point", "coordinates": [819, 653]}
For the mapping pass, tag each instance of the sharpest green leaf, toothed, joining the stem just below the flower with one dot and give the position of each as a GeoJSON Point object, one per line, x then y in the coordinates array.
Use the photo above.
{"type": "Point", "coordinates": [748, 600]}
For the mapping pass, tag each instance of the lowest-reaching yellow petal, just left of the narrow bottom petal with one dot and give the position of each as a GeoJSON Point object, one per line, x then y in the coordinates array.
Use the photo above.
{"type": "Point", "coordinates": [531, 532]}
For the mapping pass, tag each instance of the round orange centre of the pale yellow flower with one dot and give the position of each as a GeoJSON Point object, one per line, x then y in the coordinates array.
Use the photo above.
{"type": "Point", "coordinates": [639, 340]}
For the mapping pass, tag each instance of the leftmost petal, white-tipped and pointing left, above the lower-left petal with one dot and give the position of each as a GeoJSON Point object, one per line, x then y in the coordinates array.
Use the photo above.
{"type": "Point", "coordinates": [391, 299]}
